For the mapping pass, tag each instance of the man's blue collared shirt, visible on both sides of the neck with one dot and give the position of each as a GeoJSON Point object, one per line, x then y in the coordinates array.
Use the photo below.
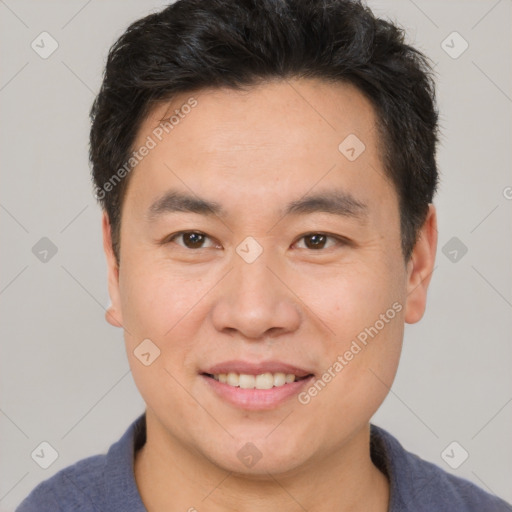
{"type": "Point", "coordinates": [106, 483]}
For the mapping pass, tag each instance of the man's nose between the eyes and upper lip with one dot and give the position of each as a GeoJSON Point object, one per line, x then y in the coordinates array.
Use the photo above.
{"type": "Point", "coordinates": [256, 303]}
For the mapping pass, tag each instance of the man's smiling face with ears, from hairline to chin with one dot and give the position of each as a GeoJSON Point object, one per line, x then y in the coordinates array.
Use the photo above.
{"type": "Point", "coordinates": [292, 267]}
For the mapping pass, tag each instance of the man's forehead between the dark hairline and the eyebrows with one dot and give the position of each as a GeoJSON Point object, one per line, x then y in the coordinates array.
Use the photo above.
{"type": "Point", "coordinates": [281, 138]}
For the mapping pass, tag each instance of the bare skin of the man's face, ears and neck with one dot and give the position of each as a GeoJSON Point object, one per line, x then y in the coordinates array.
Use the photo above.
{"type": "Point", "coordinates": [253, 152]}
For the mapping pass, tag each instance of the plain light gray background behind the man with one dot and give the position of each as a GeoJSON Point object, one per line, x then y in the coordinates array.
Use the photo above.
{"type": "Point", "coordinates": [64, 373]}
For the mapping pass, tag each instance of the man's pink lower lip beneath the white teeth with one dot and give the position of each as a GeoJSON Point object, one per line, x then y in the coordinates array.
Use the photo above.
{"type": "Point", "coordinates": [256, 399]}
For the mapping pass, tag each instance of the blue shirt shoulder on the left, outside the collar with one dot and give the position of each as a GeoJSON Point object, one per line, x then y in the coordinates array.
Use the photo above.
{"type": "Point", "coordinates": [78, 487]}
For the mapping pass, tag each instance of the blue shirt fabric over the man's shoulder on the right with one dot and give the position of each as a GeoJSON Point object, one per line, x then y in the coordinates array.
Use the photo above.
{"type": "Point", "coordinates": [416, 484]}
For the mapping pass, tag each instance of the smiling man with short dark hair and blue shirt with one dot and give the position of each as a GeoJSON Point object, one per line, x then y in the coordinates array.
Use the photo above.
{"type": "Point", "coordinates": [266, 171]}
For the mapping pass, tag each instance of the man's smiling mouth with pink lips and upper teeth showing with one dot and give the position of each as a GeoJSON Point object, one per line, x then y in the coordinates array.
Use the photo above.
{"type": "Point", "coordinates": [256, 387]}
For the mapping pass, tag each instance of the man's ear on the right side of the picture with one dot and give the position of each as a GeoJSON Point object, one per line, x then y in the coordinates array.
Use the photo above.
{"type": "Point", "coordinates": [420, 267]}
